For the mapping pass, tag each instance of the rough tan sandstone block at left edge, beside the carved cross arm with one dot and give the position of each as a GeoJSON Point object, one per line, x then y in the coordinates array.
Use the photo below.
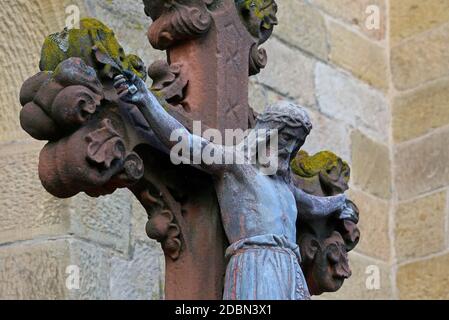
{"type": "Point", "coordinates": [27, 210]}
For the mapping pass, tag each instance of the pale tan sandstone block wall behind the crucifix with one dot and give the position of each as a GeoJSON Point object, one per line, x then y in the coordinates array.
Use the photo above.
{"type": "Point", "coordinates": [378, 98]}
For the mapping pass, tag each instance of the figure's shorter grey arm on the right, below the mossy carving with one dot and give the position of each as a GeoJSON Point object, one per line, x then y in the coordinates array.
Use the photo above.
{"type": "Point", "coordinates": [313, 207]}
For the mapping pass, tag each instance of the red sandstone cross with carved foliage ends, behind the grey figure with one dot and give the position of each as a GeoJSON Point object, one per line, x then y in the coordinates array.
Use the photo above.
{"type": "Point", "coordinates": [99, 142]}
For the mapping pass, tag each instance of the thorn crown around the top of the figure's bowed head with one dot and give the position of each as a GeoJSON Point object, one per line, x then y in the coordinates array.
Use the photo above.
{"type": "Point", "coordinates": [292, 115]}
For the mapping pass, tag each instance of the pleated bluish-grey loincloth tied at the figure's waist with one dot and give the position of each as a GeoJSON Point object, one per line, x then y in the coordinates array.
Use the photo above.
{"type": "Point", "coordinates": [264, 267]}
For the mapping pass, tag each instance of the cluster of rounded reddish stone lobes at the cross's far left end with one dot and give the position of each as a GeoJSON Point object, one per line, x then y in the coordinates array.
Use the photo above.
{"type": "Point", "coordinates": [56, 102]}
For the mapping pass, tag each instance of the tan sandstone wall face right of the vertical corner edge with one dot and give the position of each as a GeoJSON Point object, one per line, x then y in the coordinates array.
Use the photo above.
{"type": "Point", "coordinates": [419, 52]}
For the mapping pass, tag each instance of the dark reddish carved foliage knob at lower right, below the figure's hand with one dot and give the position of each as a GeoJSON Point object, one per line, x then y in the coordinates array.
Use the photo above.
{"type": "Point", "coordinates": [328, 264]}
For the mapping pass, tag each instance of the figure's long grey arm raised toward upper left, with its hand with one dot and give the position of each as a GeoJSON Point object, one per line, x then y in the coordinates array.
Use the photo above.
{"type": "Point", "coordinates": [132, 89]}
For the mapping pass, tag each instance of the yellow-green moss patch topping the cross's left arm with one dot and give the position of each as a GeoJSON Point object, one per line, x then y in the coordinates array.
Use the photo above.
{"type": "Point", "coordinates": [96, 44]}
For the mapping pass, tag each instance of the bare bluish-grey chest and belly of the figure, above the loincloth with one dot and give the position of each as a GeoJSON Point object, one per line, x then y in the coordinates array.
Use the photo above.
{"type": "Point", "coordinates": [254, 204]}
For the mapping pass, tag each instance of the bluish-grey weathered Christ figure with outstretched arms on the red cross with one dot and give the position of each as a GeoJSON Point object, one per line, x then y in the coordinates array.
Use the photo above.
{"type": "Point", "coordinates": [259, 211]}
